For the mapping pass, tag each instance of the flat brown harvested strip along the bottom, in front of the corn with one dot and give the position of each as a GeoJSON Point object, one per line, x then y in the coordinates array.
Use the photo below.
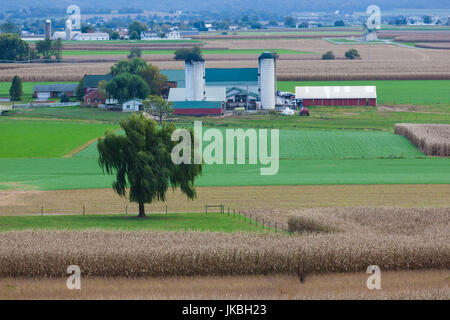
{"type": "Point", "coordinates": [432, 284]}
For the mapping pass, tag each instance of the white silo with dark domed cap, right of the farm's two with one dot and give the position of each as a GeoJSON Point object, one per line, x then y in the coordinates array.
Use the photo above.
{"type": "Point", "coordinates": [267, 80]}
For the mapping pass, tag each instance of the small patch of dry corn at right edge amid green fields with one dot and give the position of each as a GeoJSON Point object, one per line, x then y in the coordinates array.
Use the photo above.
{"type": "Point", "coordinates": [431, 139]}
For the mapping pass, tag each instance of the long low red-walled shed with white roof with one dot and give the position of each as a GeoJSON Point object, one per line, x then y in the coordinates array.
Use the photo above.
{"type": "Point", "coordinates": [337, 96]}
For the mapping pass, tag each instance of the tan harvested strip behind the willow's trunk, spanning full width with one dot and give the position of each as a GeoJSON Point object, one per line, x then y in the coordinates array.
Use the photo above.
{"type": "Point", "coordinates": [264, 199]}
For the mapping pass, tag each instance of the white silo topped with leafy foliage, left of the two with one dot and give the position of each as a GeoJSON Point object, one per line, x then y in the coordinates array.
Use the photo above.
{"type": "Point", "coordinates": [195, 80]}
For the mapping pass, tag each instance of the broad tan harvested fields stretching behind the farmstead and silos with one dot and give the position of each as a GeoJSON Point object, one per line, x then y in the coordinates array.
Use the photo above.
{"type": "Point", "coordinates": [386, 62]}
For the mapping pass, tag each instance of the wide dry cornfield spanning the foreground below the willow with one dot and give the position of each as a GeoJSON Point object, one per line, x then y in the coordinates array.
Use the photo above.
{"type": "Point", "coordinates": [393, 239]}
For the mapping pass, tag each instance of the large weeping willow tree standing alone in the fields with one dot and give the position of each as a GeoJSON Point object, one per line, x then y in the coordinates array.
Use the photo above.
{"type": "Point", "coordinates": [141, 162]}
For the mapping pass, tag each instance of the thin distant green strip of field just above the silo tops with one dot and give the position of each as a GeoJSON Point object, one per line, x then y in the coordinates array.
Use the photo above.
{"type": "Point", "coordinates": [207, 51]}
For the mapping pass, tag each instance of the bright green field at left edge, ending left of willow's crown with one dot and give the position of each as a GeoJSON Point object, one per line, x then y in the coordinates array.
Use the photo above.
{"type": "Point", "coordinates": [45, 139]}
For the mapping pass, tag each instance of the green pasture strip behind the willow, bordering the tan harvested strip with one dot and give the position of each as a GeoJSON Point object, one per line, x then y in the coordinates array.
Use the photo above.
{"type": "Point", "coordinates": [74, 173]}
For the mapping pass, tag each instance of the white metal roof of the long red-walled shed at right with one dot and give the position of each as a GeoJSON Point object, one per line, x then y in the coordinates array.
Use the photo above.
{"type": "Point", "coordinates": [340, 92]}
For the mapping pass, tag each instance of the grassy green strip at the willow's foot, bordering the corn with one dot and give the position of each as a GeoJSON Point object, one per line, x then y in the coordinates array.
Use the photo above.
{"type": "Point", "coordinates": [160, 221]}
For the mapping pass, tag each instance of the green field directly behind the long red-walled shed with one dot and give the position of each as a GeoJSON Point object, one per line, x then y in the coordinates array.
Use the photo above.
{"type": "Point", "coordinates": [415, 92]}
